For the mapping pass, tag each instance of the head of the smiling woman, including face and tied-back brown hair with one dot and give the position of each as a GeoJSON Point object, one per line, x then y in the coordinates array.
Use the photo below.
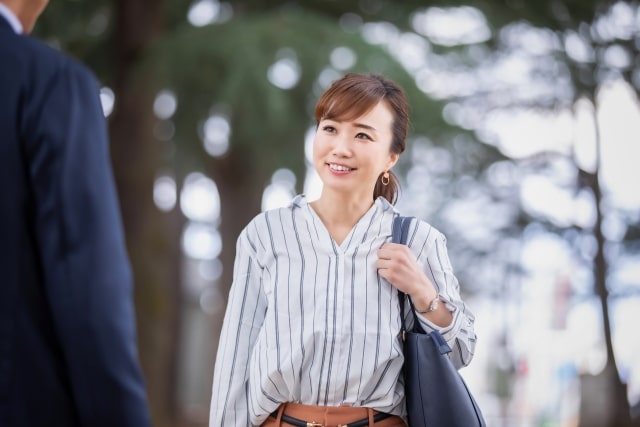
{"type": "Point", "coordinates": [354, 109]}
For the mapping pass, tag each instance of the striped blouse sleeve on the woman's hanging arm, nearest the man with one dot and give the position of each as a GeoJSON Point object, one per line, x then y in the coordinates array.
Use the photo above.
{"type": "Point", "coordinates": [243, 319]}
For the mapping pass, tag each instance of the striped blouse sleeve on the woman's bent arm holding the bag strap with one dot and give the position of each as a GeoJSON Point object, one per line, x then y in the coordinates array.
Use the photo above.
{"type": "Point", "coordinates": [460, 334]}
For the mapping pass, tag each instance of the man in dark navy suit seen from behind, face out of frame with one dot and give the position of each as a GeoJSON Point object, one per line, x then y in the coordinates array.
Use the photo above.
{"type": "Point", "coordinates": [68, 354]}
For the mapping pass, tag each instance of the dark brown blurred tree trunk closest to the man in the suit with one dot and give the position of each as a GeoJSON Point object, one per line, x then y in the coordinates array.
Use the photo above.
{"type": "Point", "coordinates": [152, 241]}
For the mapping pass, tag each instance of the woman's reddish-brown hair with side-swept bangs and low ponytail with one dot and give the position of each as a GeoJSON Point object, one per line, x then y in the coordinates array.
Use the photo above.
{"type": "Point", "coordinates": [356, 94]}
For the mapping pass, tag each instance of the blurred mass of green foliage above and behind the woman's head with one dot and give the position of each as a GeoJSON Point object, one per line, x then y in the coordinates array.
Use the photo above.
{"type": "Point", "coordinates": [225, 66]}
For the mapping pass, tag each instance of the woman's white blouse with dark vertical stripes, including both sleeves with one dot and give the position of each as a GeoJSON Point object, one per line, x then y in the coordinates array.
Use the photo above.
{"type": "Point", "coordinates": [310, 321]}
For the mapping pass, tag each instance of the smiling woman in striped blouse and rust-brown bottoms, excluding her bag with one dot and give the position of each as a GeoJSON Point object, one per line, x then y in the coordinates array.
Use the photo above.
{"type": "Point", "coordinates": [311, 331]}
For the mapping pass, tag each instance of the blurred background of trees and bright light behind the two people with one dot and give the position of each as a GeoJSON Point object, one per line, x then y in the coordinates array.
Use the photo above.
{"type": "Point", "coordinates": [524, 146]}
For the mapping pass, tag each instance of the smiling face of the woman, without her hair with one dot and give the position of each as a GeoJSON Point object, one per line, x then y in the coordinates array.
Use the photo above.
{"type": "Point", "coordinates": [349, 156]}
